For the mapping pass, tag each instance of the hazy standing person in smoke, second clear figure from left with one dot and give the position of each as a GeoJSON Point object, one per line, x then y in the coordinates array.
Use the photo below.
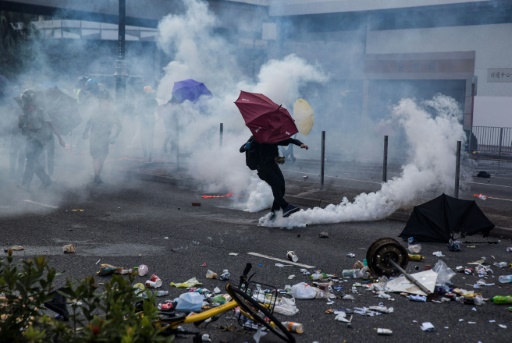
{"type": "Point", "coordinates": [100, 125]}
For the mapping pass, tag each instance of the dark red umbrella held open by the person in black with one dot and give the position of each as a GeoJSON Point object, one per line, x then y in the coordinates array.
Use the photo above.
{"type": "Point", "coordinates": [268, 121]}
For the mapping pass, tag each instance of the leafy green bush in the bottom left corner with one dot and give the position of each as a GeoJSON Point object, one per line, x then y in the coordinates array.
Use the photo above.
{"type": "Point", "coordinates": [106, 315]}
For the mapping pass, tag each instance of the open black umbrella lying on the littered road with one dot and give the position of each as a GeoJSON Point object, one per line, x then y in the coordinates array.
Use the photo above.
{"type": "Point", "coordinates": [439, 219]}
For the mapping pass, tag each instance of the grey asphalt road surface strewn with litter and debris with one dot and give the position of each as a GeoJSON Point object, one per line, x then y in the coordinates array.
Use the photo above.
{"type": "Point", "coordinates": [156, 224]}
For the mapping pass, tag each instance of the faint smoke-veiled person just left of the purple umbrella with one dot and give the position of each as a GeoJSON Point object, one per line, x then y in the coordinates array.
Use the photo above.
{"type": "Point", "coordinates": [147, 108]}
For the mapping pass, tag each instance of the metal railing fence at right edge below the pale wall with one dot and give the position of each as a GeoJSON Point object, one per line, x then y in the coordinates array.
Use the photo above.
{"type": "Point", "coordinates": [491, 140]}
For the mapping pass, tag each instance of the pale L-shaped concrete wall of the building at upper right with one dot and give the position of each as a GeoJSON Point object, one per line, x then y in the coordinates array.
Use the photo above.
{"type": "Point", "coordinates": [492, 46]}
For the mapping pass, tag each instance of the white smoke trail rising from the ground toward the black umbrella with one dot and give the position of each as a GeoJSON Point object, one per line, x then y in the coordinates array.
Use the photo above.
{"type": "Point", "coordinates": [432, 129]}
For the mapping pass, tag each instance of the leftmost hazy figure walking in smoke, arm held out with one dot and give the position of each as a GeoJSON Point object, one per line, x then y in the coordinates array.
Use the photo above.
{"type": "Point", "coordinates": [36, 126]}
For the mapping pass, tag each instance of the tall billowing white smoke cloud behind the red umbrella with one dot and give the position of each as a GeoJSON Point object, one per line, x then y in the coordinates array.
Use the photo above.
{"type": "Point", "coordinates": [199, 54]}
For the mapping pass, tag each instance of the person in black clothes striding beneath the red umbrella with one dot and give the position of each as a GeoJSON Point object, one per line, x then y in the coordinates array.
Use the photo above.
{"type": "Point", "coordinates": [269, 171]}
